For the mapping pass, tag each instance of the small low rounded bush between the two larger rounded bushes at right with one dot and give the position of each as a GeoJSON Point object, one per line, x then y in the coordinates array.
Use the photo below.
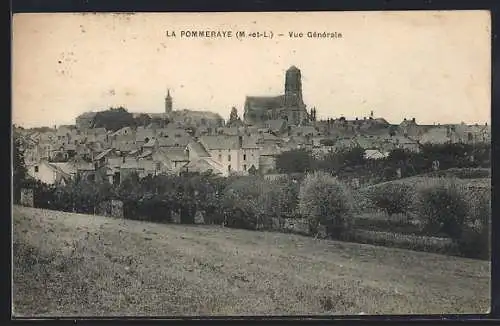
{"type": "Point", "coordinates": [393, 198]}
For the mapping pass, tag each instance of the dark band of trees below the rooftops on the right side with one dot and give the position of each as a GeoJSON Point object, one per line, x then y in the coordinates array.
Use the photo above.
{"type": "Point", "coordinates": [351, 162]}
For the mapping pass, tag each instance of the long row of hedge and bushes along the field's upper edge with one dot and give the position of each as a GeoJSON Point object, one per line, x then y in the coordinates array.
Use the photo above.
{"type": "Point", "coordinates": [252, 202]}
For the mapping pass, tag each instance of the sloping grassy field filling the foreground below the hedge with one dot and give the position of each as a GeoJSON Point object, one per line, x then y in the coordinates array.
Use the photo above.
{"type": "Point", "coordinates": [79, 265]}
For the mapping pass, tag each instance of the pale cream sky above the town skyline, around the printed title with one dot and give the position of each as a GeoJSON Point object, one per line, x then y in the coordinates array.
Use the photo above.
{"type": "Point", "coordinates": [434, 66]}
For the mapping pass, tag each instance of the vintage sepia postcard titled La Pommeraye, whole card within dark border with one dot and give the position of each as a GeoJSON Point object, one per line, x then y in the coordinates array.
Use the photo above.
{"type": "Point", "coordinates": [251, 164]}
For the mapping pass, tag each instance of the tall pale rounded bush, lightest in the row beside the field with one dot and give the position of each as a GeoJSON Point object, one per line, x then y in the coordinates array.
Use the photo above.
{"type": "Point", "coordinates": [326, 201]}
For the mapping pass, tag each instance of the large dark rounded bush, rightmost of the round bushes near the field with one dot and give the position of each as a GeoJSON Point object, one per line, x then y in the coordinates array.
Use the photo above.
{"type": "Point", "coordinates": [444, 207]}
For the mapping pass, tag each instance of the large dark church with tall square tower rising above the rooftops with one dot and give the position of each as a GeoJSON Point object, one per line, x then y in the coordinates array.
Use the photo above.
{"type": "Point", "coordinates": [289, 106]}
